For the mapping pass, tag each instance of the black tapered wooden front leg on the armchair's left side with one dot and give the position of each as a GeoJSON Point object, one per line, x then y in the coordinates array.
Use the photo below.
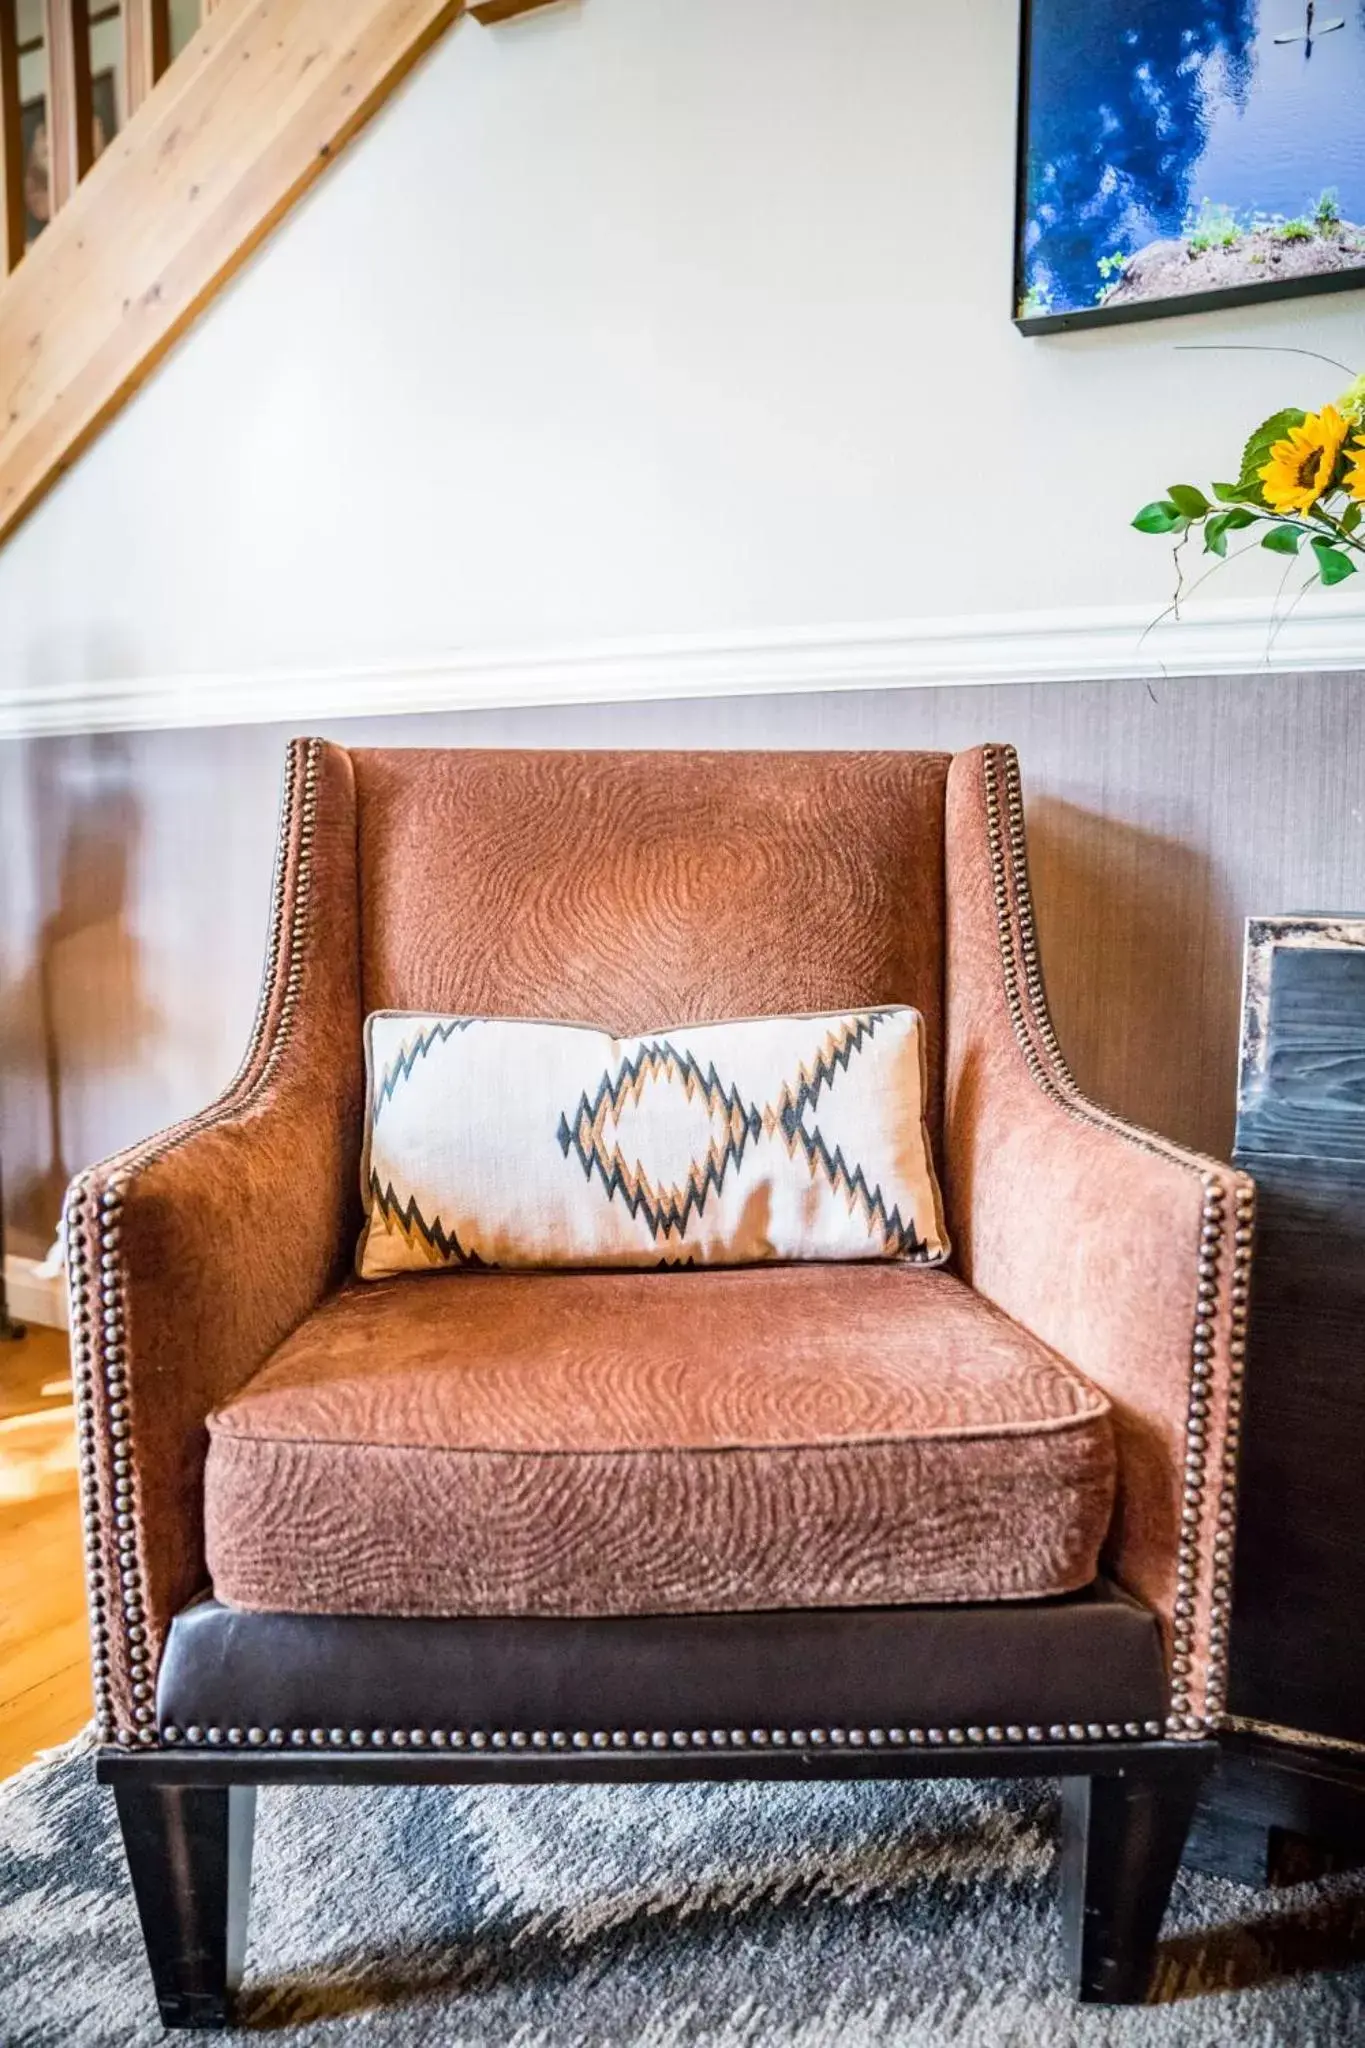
{"type": "Point", "coordinates": [189, 1854]}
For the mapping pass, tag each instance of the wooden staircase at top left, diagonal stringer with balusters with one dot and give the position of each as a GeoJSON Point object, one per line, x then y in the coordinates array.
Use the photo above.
{"type": "Point", "coordinates": [150, 212]}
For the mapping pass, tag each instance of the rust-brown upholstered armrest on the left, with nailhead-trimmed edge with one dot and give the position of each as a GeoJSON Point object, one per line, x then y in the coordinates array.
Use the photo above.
{"type": "Point", "coordinates": [191, 1256]}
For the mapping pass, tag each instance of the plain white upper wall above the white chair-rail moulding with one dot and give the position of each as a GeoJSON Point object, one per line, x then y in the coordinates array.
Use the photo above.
{"type": "Point", "coordinates": [642, 318]}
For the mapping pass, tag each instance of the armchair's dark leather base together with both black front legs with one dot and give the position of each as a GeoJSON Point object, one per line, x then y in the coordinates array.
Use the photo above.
{"type": "Point", "coordinates": [1071, 1689]}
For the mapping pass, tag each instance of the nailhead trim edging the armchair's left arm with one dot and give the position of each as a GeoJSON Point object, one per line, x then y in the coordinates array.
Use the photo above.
{"type": "Point", "coordinates": [99, 1304]}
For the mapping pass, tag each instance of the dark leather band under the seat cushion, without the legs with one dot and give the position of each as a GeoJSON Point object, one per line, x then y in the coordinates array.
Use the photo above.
{"type": "Point", "coordinates": [1041, 1670]}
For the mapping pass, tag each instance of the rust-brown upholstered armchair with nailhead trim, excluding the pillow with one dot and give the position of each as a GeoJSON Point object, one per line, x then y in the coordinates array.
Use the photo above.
{"type": "Point", "coordinates": [271, 1598]}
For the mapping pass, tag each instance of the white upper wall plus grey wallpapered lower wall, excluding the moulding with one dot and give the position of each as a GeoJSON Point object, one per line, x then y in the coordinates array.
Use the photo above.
{"type": "Point", "coordinates": [644, 318]}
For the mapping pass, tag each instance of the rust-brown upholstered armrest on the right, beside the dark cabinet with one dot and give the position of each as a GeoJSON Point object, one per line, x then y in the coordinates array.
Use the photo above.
{"type": "Point", "coordinates": [1120, 1250]}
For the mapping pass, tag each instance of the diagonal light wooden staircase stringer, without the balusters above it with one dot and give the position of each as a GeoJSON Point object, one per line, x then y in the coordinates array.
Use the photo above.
{"type": "Point", "coordinates": [251, 114]}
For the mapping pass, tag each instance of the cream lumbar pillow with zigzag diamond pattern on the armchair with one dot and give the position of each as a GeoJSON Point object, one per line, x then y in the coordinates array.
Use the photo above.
{"type": "Point", "coordinates": [504, 1142]}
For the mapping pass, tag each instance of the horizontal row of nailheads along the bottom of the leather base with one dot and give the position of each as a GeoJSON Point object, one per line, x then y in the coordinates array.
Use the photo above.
{"type": "Point", "coordinates": [580, 1740]}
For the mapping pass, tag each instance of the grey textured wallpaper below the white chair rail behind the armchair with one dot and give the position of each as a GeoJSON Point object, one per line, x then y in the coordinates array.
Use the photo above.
{"type": "Point", "coordinates": [136, 869]}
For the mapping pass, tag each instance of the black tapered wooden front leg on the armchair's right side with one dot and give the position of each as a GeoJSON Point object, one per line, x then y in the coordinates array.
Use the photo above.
{"type": "Point", "coordinates": [1120, 1852]}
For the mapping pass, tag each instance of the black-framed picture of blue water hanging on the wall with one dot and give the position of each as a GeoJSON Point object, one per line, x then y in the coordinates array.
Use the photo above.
{"type": "Point", "coordinates": [1186, 155]}
